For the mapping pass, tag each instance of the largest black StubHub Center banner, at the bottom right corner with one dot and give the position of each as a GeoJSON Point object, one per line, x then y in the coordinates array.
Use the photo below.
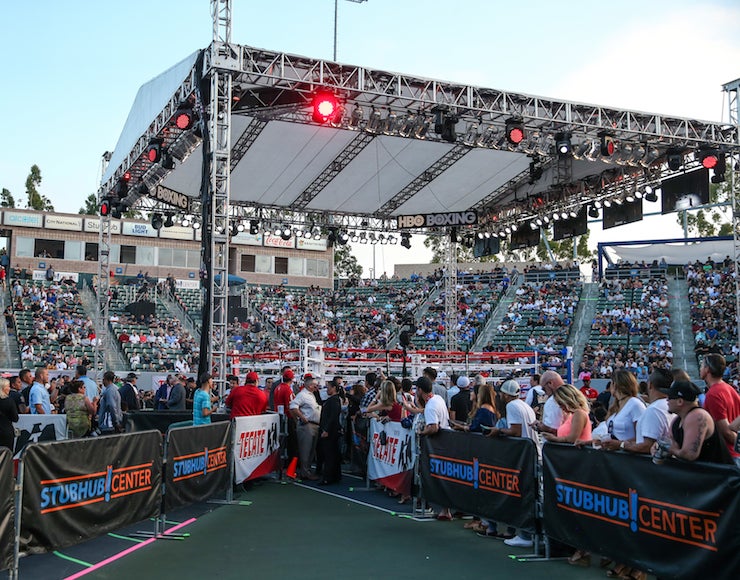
{"type": "Point", "coordinates": [674, 520]}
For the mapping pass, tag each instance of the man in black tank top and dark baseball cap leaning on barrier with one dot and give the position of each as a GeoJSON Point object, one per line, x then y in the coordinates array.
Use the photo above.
{"type": "Point", "coordinates": [695, 435]}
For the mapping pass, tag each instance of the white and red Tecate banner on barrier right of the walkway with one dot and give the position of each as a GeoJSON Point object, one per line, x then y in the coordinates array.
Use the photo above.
{"type": "Point", "coordinates": [392, 463]}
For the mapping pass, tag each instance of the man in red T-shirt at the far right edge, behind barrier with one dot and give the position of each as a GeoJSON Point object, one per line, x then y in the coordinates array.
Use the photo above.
{"type": "Point", "coordinates": [722, 401]}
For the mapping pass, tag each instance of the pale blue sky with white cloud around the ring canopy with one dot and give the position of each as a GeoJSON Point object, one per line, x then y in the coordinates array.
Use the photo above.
{"type": "Point", "coordinates": [72, 68]}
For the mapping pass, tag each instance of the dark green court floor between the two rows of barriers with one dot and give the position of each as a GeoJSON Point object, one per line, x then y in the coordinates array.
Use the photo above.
{"type": "Point", "coordinates": [290, 530]}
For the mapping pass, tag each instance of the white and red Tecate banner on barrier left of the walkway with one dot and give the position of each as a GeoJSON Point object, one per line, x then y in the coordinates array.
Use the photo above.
{"type": "Point", "coordinates": [256, 446]}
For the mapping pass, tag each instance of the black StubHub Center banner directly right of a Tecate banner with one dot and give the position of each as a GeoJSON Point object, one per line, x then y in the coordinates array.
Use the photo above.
{"type": "Point", "coordinates": [493, 477]}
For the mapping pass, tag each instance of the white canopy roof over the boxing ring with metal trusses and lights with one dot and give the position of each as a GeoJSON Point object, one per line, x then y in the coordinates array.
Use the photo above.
{"type": "Point", "coordinates": [235, 133]}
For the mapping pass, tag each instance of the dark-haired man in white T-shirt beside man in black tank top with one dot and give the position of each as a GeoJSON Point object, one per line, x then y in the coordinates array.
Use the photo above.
{"type": "Point", "coordinates": [655, 423]}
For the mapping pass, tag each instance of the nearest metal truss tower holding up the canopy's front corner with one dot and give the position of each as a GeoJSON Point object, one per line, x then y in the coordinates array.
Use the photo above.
{"type": "Point", "coordinates": [221, 61]}
